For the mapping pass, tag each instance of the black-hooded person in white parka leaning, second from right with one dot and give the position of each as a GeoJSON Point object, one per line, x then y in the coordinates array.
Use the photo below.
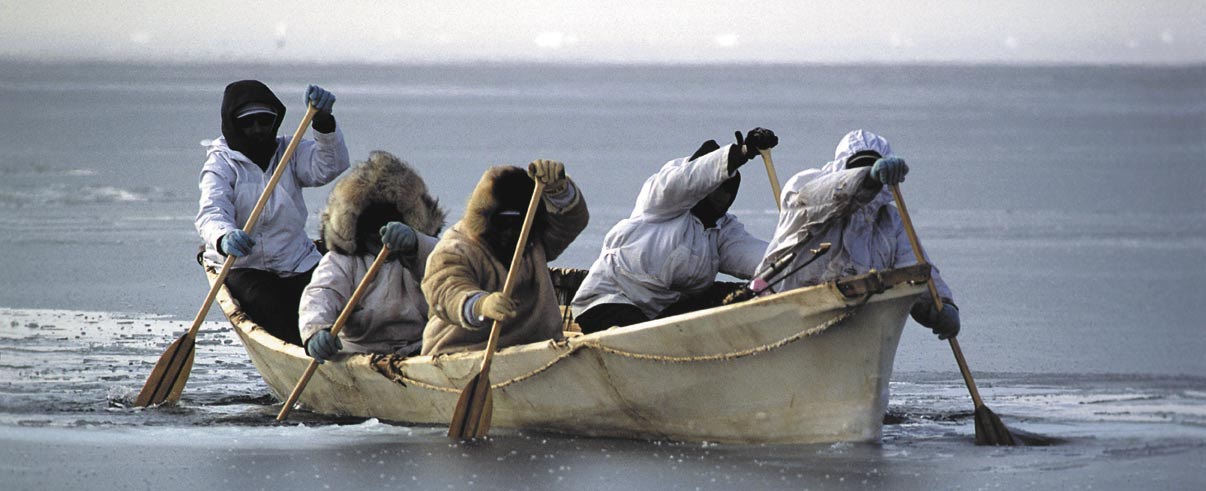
{"type": "Point", "coordinates": [680, 236]}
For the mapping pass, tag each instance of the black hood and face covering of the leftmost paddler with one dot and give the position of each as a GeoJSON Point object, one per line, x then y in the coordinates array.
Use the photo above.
{"type": "Point", "coordinates": [259, 147]}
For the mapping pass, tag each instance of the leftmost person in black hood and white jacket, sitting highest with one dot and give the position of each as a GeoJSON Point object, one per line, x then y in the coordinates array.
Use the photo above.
{"type": "Point", "coordinates": [277, 260]}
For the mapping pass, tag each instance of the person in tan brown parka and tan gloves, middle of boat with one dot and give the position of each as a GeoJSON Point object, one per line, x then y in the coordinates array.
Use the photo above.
{"type": "Point", "coordinates": [469, 268]}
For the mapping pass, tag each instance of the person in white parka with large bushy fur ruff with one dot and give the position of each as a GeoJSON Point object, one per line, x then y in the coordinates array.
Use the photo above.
{"type": "Point", "coordinates": [380, 201]}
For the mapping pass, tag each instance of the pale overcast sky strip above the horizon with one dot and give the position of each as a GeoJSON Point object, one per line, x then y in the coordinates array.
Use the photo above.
{"type": "Point", "coordinates": [612, 32]}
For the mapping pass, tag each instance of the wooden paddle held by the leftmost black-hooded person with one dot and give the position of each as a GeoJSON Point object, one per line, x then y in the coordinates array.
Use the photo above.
{"type": "Point", "coordinates": [172, 371]}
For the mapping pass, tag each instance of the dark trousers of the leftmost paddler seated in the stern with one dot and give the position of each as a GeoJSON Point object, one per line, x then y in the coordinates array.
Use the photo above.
{"type": "Point", "coordinates": [271, 301]}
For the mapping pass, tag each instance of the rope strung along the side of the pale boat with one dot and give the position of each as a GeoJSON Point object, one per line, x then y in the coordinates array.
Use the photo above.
{"type": "Point", "coordinates": [399, 377]}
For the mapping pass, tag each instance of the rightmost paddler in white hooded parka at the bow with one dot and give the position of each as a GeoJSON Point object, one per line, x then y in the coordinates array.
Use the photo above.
{"type": "Point", "coordinates": [848, 203]}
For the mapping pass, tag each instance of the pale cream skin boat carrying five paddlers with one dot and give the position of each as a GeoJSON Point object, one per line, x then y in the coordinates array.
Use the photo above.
{"type": "Point", "coordinates": [805, 366]}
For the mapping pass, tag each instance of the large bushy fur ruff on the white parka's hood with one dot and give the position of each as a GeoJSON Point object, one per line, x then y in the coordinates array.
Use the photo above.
{"type": "Point", "coordinates": [382, 179]}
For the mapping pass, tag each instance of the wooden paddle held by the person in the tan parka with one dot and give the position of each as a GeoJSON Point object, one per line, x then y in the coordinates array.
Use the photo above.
{"type": "Point", "coordinates": [475, 408]}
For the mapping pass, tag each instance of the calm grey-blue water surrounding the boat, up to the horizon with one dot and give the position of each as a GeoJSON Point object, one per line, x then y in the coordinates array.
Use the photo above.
{"type": "Point", "coordinates": [1063, 204]}
